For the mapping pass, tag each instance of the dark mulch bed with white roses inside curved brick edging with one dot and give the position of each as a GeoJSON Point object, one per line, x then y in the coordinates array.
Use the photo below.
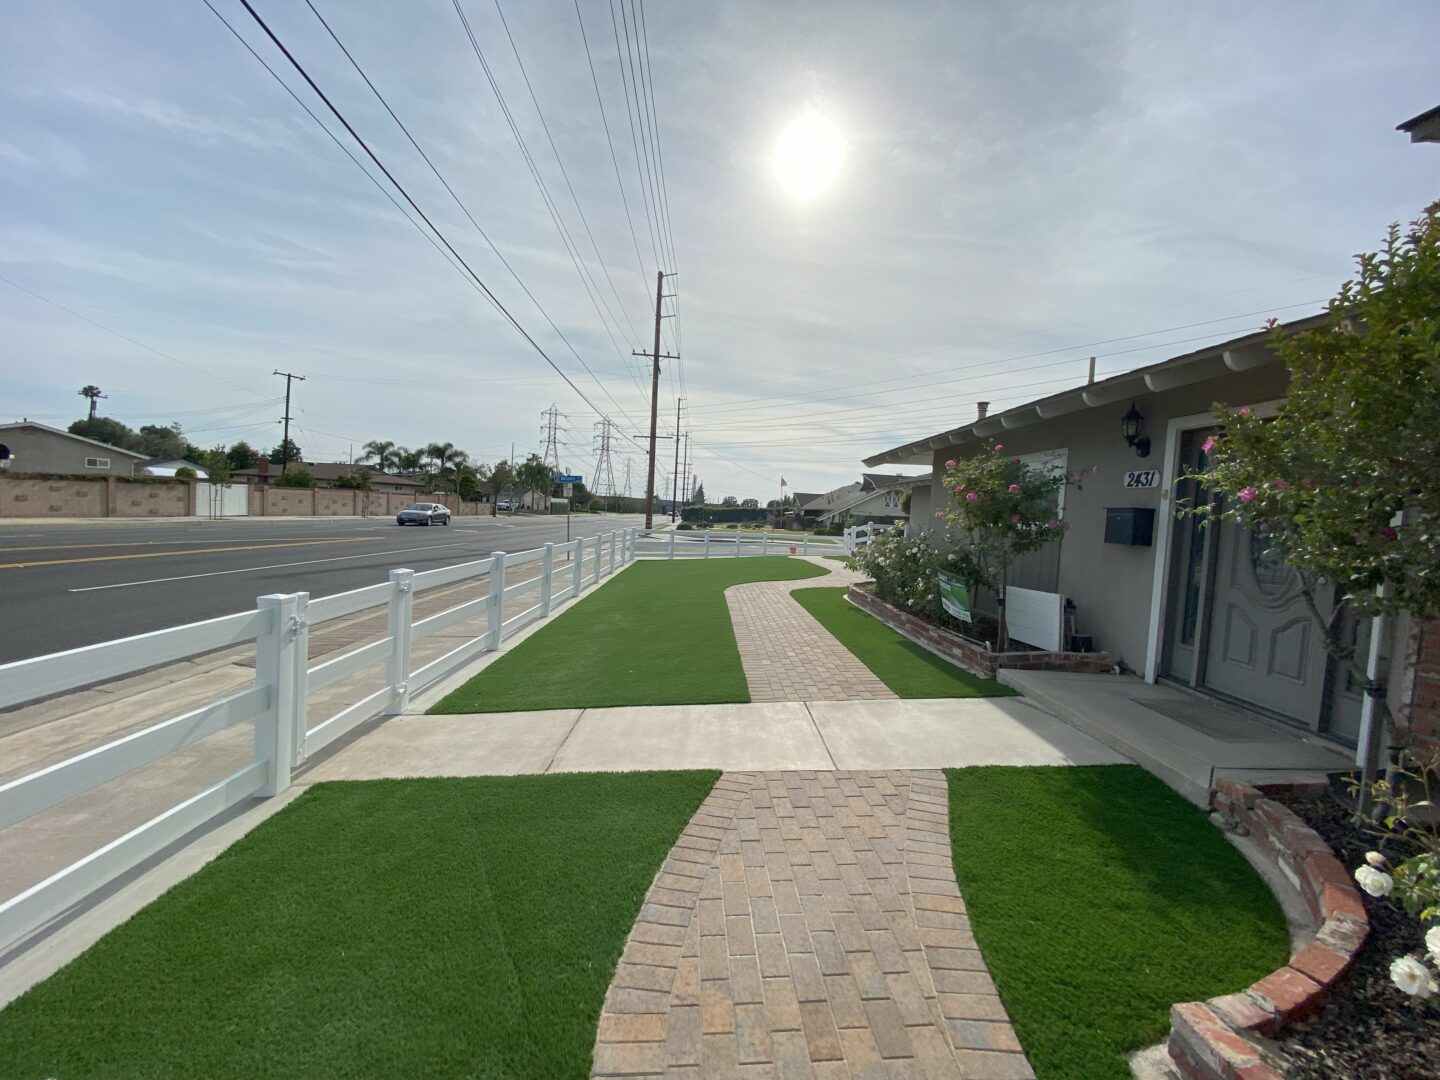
{"type": "Point", "coordinates": [1367, 1029]}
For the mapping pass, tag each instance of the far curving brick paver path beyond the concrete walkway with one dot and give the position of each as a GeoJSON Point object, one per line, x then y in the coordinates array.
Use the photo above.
{"type": "Point", "coordinates": [787, 654]}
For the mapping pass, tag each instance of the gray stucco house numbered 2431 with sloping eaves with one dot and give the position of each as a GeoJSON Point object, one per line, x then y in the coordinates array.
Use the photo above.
{"type": "Point", "coordinates": [1210, 610]}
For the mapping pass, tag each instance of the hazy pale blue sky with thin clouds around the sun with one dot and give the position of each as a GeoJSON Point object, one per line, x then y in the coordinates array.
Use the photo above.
{"type": "Point", "coordinates": [1020, 185]}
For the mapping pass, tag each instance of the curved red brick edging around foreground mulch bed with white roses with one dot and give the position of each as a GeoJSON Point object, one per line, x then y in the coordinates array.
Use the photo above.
{"type": "Point", "coordinates": [1210, 1040]}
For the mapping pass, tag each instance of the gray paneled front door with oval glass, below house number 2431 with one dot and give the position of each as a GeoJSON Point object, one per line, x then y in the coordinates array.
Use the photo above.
{"type": "Point", "coordinates": [1262, 644]}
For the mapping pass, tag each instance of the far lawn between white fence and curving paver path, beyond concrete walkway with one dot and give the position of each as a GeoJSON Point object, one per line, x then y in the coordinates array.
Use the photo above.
{"type": "Point", "coordinates": [657, 636]}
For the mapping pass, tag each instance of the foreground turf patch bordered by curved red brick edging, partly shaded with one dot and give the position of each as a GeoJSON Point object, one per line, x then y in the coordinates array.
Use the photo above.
{"type": "Point", "coordinates": [1099, 899]}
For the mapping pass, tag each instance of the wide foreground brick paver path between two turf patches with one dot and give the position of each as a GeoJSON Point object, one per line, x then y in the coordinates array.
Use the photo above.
{"type": "Point", "coordinates": [809, 925]}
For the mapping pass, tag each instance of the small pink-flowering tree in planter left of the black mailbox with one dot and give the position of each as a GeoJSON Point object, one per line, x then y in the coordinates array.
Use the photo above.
{"type": "Point", "coordinates": [1004, 509]}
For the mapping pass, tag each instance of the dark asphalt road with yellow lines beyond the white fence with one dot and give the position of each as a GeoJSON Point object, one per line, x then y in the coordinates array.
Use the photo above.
{"type": "Point", "coordinates": [77, 584]}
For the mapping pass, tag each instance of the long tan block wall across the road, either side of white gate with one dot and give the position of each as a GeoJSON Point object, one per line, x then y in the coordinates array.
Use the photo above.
{"type": "Point", "coordinates": [123, 498]}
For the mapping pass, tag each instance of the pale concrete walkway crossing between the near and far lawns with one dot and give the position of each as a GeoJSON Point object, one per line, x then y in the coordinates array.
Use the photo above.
{"type": "Point", "coordinates": [762, 737]}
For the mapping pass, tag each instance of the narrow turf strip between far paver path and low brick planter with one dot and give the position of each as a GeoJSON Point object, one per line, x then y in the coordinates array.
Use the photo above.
{"type": "Point", "coordinates": [899, 663]}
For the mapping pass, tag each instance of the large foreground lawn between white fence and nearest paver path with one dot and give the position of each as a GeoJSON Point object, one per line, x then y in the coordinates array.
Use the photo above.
{"type": "Point", "coordinates": [447, 928]}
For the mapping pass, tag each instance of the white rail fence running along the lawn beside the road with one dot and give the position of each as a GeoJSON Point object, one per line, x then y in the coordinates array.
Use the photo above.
{"type": "Point", "coordinates": [279, 703]}
